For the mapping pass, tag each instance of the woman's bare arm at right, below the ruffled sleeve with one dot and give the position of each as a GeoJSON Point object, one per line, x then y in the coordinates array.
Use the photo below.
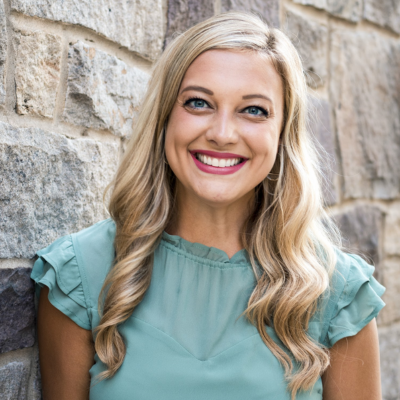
{"type": "Point", "coordinates": [354, 373]}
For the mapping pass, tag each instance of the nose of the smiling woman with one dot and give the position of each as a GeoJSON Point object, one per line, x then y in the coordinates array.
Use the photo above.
{"type": "Point", "coordinates": [223, 130]}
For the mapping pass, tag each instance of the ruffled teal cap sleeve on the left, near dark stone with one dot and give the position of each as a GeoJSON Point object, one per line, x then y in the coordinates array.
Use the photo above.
{"type": "Point", "coordinates": [57, 268]}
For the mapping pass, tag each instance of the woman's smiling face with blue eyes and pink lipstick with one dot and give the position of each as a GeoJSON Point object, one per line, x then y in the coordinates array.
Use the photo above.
{"type": "Point", "coordinates": [223, 133]}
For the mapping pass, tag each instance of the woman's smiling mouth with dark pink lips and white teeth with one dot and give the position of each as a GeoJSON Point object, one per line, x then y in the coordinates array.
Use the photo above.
{"type": "Point", "coordinates": [214, 162]}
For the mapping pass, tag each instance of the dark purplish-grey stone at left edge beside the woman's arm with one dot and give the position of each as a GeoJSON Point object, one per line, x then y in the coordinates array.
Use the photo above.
{"type": "Point", "coordinates": [17, 309]}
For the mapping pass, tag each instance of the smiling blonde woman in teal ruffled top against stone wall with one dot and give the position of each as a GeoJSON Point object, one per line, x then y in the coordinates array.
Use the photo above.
{"type": "Point", "coordinates": [218, 276]}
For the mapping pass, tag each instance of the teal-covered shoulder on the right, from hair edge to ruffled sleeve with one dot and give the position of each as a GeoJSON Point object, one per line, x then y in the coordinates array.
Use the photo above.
{"type": "Point", "coordinates": [352, 300]}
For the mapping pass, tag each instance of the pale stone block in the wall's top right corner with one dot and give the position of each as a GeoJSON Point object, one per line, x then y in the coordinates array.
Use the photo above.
{"type": "Point", "coordinates": [383, 12]}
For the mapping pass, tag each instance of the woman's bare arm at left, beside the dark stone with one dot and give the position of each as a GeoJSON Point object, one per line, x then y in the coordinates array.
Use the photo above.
{"type": "Point", "coordinates": [66, 353]}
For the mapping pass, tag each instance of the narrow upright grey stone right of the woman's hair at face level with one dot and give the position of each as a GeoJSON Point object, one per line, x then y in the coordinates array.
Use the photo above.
{"type": "Point", "coordinates": [320, 127]}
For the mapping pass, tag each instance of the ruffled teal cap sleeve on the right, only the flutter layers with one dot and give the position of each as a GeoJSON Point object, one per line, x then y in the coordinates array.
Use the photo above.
{"type": "Point", "coordinates": [359, 302]}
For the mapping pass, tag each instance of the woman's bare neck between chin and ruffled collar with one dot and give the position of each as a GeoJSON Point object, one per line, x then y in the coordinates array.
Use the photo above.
{"type": "Point", "coordinates": [213, 225]}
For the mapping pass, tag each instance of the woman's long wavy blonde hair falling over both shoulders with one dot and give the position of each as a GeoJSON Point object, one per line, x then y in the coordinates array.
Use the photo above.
{"type": "Point", "coordinates": [289, 234]}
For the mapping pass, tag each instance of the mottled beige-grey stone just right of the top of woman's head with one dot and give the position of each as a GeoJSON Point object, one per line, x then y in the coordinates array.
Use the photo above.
{"type": "Point", "coordinates": [311, 41]}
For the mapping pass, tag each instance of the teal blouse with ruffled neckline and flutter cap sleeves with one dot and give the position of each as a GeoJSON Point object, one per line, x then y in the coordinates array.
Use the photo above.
{"type": "Point", "coordinates": [186, 339]}
